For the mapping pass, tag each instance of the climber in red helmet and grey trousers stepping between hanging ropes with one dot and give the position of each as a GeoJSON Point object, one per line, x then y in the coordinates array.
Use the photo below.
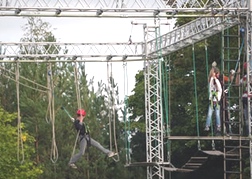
{"type": "Point", "coordinates": [85, 139]}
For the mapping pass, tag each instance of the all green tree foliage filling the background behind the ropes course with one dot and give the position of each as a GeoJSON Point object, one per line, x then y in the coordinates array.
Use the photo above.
{"type": "Point", "coordinates": [38, 122]}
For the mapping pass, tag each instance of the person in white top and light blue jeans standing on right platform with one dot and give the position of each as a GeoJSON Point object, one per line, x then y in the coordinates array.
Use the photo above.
{"type": "Point", "coordinates": [215, 93]}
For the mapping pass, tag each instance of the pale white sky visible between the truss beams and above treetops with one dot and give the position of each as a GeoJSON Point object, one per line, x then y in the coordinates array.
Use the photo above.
{"type": "Point", "coordinates": [74, 30]}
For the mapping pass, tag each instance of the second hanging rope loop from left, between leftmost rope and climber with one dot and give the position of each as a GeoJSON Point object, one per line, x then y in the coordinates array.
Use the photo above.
{"type": "Point", "coordinates": [54, 150]}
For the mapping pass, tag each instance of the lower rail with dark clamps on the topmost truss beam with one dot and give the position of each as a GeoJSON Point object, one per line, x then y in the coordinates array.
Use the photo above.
{"type": "Point", "coordinates": [115, 13]}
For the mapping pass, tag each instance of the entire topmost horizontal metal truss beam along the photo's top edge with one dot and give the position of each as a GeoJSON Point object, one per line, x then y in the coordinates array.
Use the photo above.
{"type": "Point", "coordinates": [120, 9]}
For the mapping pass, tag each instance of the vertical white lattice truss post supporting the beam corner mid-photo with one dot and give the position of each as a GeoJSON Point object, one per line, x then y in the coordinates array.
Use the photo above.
{"type": "Point", "coordinates": [153, 108]}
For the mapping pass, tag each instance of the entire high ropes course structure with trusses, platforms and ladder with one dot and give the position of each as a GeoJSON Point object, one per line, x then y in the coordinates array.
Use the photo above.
{"type": "Point", "coordinates": [211, 17]}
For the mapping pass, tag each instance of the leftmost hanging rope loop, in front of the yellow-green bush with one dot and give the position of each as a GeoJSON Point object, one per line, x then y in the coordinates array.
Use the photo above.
{"type": "Point", "coordinates": [20, 145]}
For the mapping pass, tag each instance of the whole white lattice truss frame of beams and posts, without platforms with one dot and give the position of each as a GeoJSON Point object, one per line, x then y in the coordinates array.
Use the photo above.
{"type": "Point", "coordinates": [214, 16]}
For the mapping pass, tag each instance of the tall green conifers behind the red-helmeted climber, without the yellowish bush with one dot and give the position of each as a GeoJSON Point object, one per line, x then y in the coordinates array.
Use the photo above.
{"type": "Point", "coordinates": [54, 135]}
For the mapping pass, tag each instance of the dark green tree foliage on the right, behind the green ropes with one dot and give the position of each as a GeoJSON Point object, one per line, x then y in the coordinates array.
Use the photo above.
{"type": "Point", "coordinates": [187, 112]}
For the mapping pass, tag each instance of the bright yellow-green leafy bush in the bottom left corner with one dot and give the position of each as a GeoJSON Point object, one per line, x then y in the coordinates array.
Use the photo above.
{"type": "Point", "coordinates": [22, 167]}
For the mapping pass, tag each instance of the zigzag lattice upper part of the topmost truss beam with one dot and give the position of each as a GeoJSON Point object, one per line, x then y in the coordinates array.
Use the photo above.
{"type": "Point", "coordinates": [122, 4]}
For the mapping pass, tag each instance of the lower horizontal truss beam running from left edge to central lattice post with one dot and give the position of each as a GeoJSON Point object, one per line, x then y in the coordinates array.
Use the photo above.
{"type": "Point", "coordinates": [44, 51]}
